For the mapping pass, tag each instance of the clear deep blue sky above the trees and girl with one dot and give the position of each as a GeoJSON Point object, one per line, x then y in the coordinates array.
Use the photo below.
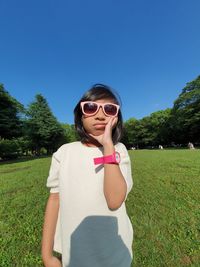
{"type": "Point", "coordinates": [146, 50]}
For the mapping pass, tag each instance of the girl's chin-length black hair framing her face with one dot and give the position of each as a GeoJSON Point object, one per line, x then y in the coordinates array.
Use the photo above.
{"type": "Point", "coordinates": [96, 92]}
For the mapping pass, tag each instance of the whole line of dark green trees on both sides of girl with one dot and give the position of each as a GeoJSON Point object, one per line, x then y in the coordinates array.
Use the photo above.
{"type": "Point", "coordinates": [34, 130]}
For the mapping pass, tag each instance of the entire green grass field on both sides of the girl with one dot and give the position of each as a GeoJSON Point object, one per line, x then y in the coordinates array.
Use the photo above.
{"type": "Point", "coordinates": [164, 207]}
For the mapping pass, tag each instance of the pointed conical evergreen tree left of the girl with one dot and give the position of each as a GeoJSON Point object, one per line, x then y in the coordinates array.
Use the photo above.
{"type": "Point", "coordinates": [42, 127]}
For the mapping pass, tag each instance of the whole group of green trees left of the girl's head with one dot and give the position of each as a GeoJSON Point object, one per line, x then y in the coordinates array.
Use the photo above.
{"type": "Point", "coordinates": [30, 131]}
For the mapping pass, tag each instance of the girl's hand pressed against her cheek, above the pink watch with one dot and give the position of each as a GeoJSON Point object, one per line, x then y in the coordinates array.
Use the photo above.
{"type": "Point", "coordinates": [106, 137]}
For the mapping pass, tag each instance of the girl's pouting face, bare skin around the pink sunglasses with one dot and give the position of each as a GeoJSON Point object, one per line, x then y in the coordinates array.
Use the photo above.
{"type": "Point", "coordinates": [95, 124]}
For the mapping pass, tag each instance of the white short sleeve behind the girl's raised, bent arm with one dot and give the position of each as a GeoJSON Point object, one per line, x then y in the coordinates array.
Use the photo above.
{"type": "Point", "coordinates": [125, 166]}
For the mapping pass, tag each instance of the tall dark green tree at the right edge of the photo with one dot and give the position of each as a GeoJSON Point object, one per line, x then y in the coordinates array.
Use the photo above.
{"type": "Point", "coordinates": [186, 113]}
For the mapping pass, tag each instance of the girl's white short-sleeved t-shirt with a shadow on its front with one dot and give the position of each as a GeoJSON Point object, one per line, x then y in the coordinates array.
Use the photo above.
{"type": "Point", "coordinates": [88, 233]}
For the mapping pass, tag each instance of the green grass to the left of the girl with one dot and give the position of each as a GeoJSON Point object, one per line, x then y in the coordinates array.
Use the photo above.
{"type": "Point", "coordinates": [22, 202]}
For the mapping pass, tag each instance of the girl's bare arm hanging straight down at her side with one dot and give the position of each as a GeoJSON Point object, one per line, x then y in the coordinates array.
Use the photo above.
{"type": "Point", "coordinates": [50, 220]}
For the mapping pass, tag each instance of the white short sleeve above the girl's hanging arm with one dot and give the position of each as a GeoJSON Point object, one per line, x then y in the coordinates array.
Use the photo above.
{"type": "Point", "coordinates": [53, 178]}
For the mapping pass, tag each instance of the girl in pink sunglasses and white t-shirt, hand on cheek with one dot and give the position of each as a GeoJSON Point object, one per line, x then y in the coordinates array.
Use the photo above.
{"type": "Point", "coordinates": [85, 218]}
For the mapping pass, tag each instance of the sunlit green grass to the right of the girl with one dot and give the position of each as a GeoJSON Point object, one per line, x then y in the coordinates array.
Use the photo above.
{"type": "Point", "coordinates": [164, 208]}
